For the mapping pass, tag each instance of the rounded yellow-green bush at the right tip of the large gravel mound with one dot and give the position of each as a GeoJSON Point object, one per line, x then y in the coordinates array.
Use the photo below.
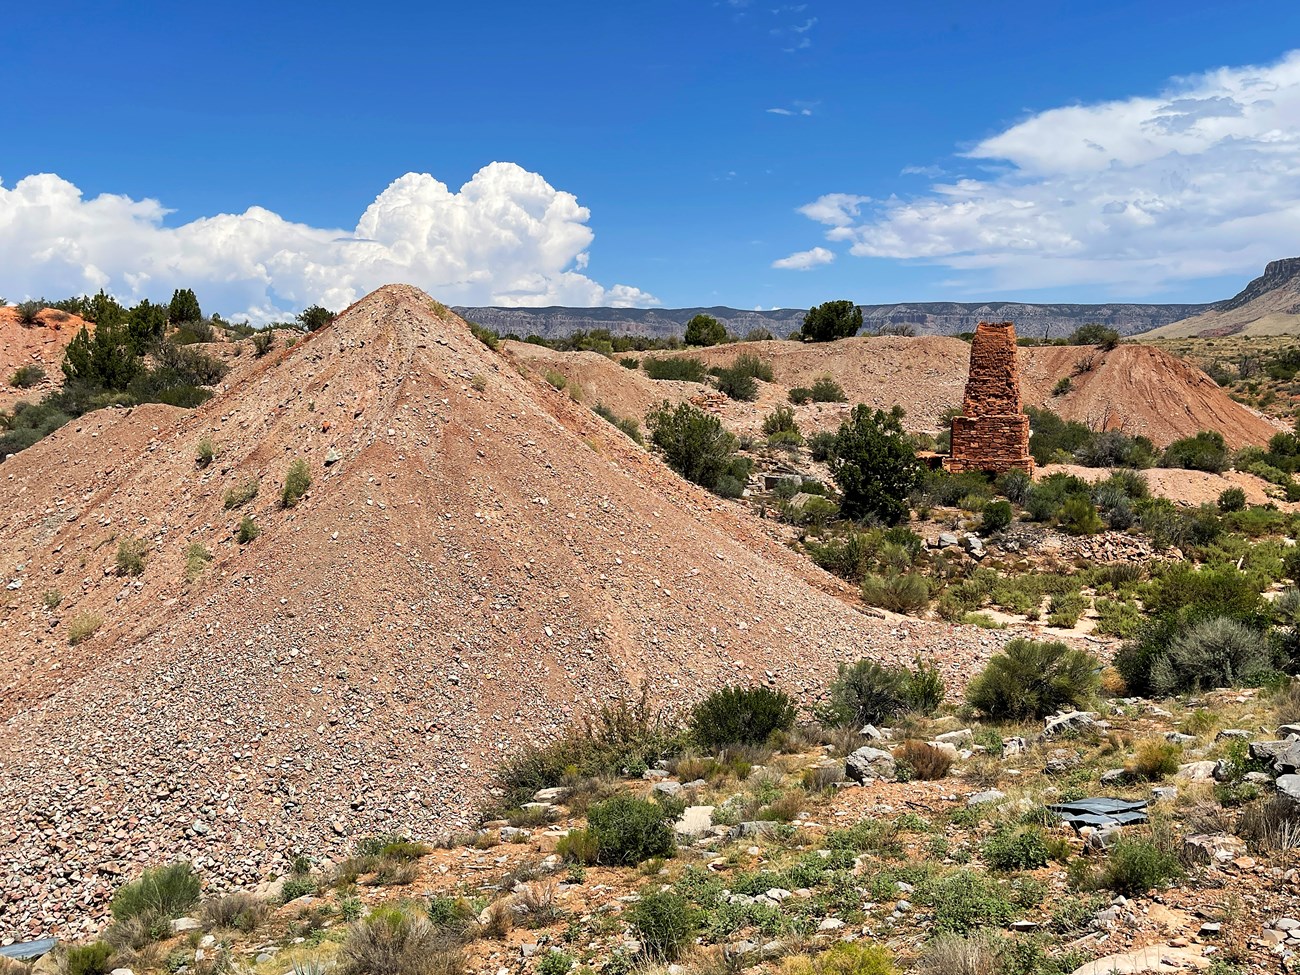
{"type": "Point", "coordinates": [1033, 679]}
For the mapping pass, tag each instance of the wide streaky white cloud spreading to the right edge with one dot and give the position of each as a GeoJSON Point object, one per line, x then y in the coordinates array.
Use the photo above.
{"type": "Point", "coordinates": [1134, 194]}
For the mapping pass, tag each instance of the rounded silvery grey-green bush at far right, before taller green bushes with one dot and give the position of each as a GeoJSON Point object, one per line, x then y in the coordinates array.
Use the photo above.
{"type": "Point", "coordinates": [1215, 653]}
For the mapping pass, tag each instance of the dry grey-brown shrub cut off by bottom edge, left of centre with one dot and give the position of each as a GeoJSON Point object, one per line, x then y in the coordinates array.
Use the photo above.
{"type": "Point", "coordinates": [393, 941]}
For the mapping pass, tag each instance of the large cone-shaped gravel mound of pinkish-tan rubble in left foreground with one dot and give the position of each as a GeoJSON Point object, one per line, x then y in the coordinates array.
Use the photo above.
{"type": "Point", "coordinates": [196, 664]}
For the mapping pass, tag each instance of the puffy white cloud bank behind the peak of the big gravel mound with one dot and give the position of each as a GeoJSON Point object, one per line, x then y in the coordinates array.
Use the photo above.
{"type": "Point", "coordinates": [506, 237]}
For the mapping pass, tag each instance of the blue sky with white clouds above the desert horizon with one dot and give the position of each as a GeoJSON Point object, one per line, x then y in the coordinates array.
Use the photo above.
{"type": "Point", "coordinates": [734, 153]}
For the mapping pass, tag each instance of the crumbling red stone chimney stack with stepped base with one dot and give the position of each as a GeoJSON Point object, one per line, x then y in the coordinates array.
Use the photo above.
{"type": "Point", "coordinates": [993, 434]}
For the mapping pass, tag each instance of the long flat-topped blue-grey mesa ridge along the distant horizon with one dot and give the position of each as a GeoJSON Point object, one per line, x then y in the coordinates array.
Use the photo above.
{"type": "Point", "coordinates": [926, 318]}
